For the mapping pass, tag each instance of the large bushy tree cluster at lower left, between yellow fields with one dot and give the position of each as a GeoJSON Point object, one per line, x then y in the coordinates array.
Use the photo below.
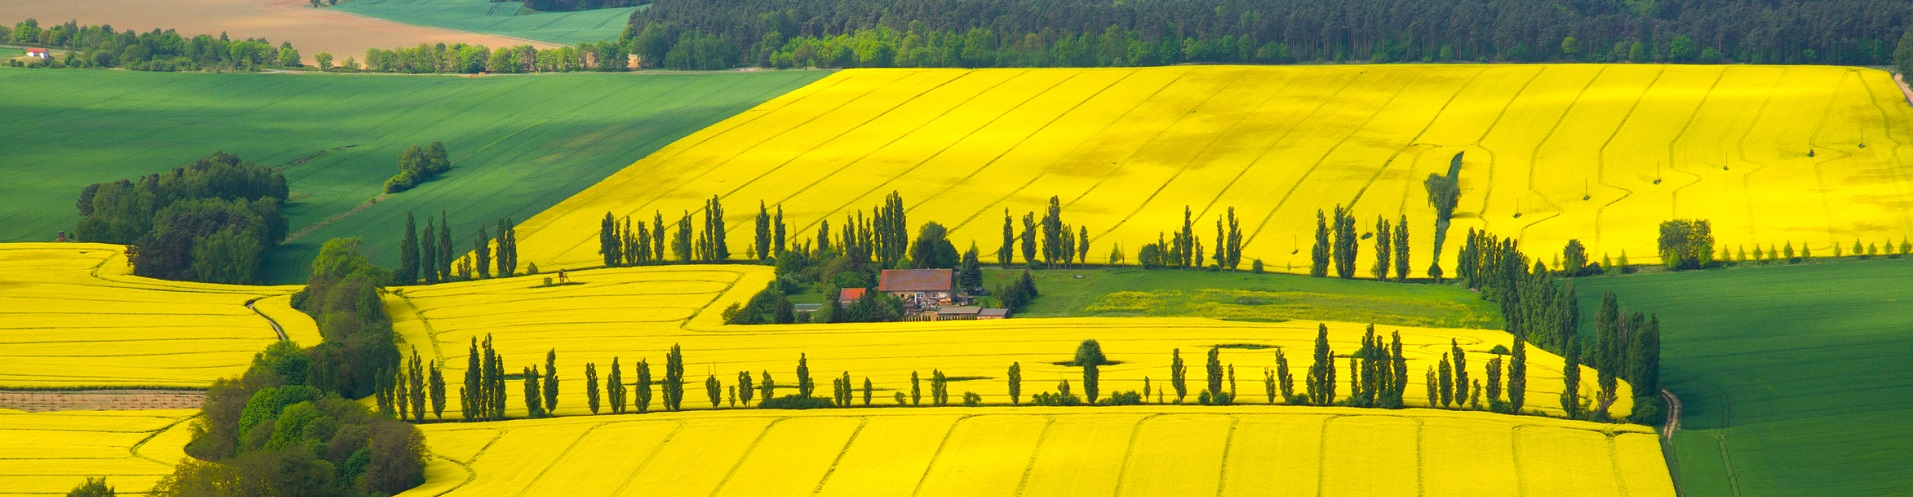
{"type": "Point", "coordinates": [290, 427]}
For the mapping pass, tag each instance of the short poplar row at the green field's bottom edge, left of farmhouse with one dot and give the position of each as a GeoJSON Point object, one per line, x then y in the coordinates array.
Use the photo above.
{"type": "Point", "coordinates": [429, 259]}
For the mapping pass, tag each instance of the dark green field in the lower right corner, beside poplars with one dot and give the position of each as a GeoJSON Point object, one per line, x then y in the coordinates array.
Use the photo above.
{"type": "Point", "coordinates": [1795, 381]}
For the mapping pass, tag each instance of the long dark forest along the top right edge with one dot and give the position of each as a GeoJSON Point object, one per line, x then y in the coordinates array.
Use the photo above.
{"type": "Point", "coordinates": [1080, 33]}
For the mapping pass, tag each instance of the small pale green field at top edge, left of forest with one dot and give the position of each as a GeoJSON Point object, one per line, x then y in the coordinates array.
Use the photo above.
{"type": "Point", "coordinates": [500, 18]}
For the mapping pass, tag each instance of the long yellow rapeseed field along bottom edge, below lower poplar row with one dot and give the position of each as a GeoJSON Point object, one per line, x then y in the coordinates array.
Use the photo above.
{"type": "Point", "coordinates": [1047, 452]}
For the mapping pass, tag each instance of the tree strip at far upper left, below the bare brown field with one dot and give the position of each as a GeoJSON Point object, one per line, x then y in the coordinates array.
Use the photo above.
{"type": "Point", "coordinates": [156, 51]}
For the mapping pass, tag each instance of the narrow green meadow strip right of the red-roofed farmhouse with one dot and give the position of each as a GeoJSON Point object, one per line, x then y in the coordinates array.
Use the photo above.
{"type": "Point", "coordinates": [1248, 297]}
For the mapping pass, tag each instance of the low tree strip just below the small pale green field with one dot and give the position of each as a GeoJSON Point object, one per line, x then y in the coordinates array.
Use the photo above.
{"type": "Point", "coordinates": [477, 58]}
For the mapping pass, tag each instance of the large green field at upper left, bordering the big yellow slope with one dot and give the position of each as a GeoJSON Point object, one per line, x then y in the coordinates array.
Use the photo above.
{"type": "Point", "coordinates": [519, 144]}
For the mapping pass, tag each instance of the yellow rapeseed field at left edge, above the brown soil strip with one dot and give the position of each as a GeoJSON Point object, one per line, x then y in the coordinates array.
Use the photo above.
{"type": "Point", "coordinates": [72, 314]}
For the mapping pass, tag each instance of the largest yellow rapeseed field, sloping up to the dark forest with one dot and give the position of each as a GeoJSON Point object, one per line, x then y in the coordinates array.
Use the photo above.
{"type": "Point", "coordinates": [1602, 154]}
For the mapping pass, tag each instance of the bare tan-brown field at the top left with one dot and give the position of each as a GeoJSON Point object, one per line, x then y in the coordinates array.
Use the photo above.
{"type": "Point", "coordinates": [309, 30]}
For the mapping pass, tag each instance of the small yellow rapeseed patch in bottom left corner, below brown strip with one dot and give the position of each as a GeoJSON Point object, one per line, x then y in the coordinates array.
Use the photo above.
{"type": "Point", "coordinates": [49, 454]}
